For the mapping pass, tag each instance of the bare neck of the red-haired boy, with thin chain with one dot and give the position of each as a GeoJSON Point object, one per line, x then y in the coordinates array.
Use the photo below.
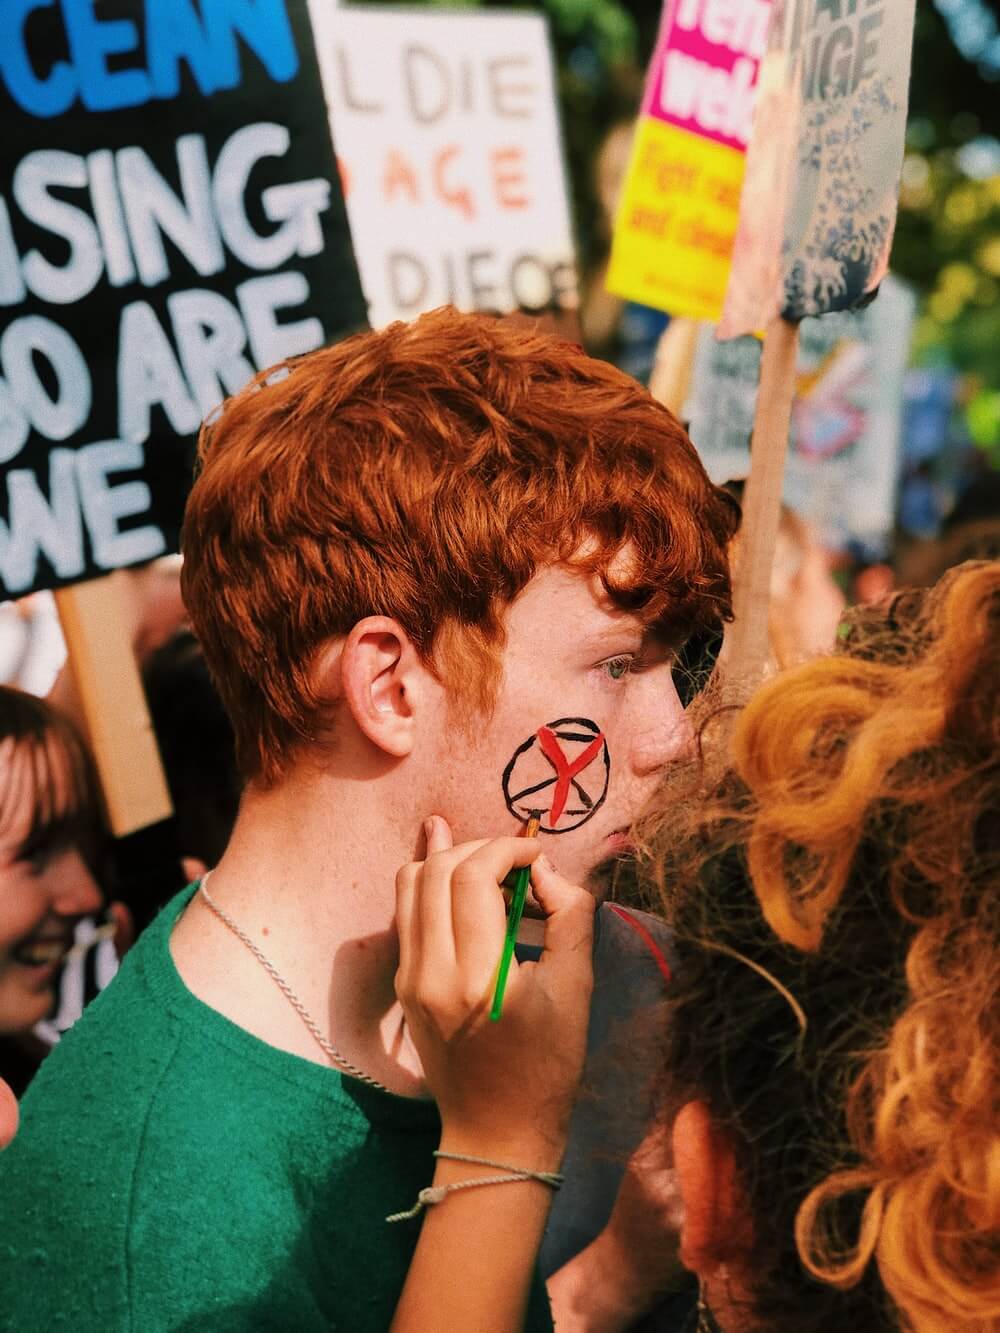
{"type": "Point", "coordinates": [310, 878]}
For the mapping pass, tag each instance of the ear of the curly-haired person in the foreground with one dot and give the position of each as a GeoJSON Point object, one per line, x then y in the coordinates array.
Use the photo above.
{"type": "Point", "coordinates": [715, 1228]}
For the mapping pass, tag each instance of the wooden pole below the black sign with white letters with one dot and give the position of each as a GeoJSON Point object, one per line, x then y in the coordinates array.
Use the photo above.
{"type": "Point", "coordinates": [110, 690]}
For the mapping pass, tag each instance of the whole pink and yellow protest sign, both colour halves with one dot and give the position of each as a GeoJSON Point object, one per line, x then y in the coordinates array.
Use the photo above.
{"type": "Point", "coordinates": [678, 217]}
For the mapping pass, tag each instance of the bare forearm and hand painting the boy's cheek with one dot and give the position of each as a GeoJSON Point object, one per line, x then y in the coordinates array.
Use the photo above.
{"type": "Point", "coordinates": [505, 1090]}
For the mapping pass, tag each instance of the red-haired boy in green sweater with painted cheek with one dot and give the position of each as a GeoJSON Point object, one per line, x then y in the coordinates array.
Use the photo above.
{"type": "Point", "coordinates": [438, 570]}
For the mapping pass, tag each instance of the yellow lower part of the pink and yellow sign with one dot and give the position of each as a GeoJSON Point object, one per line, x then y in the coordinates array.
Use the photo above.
{"type": "Point", "coordinates": [677, 222]}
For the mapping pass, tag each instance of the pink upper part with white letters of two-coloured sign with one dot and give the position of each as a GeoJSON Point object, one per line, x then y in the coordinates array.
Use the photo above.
{"type": "Point", "coordinates": [705, 71]}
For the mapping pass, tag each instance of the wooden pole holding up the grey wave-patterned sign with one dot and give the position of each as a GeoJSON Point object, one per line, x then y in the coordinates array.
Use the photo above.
{"type": "Point", "coordinates": [746, 650]}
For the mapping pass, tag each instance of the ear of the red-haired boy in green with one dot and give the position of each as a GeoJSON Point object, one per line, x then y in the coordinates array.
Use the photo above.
{"type": "Point", "coordinates": [379, 670]}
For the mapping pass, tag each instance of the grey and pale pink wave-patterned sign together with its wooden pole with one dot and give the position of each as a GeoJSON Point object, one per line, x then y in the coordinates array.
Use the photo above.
{"type": "Point", "coordinates": [817, 219]}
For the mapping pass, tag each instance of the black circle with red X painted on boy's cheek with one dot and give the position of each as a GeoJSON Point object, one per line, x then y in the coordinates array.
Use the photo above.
{"type": "Point", "coordinates": [563, 771]}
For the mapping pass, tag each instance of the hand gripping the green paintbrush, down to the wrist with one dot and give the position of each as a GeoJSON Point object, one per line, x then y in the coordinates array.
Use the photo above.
{"type": "Point", "coordinates": [498, 1084]}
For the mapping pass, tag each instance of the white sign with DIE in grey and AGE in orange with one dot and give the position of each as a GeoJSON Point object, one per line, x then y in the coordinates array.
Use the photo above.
{"type": "Point", "coordinates": [449, 145]}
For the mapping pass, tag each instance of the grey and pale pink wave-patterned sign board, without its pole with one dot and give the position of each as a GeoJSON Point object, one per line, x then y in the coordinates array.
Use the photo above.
{"type": "Point", "coordinates": [819, 198]}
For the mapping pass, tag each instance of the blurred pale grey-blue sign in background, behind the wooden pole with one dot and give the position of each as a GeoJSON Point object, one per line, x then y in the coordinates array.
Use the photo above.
{"type": "Point", "coordinates": [845, 442]}
